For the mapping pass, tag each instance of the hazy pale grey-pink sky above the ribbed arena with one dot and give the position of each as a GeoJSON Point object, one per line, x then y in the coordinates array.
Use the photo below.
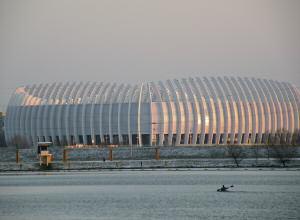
{"type": "Point", "coordinates": [138, 41]}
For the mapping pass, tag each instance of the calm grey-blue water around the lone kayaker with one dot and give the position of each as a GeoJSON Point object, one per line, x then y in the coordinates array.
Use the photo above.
{"type": "Point", "coordinates": [156, 194]}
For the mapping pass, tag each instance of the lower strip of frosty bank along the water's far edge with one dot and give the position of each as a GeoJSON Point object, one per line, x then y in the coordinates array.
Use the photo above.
{"type": "Point", "coordinates": [180, 164]}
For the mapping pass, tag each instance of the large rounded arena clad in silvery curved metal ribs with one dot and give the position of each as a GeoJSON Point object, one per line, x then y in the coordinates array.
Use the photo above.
{"type": "Point", "coordinates": [192, 111]}
